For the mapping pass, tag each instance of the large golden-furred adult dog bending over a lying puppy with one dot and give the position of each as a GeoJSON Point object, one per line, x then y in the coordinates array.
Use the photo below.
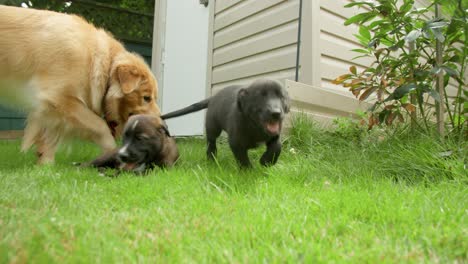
{"type": "Point", "coordinates": [72, 78]}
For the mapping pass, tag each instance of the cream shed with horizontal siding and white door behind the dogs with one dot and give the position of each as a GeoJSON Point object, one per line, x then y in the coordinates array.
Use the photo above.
{"type": "Point", "coordinates": [200, 47]}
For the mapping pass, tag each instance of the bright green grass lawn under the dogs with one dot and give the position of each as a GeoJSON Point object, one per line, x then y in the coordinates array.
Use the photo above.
{"type": "Point", "coordinates": [330, 199]}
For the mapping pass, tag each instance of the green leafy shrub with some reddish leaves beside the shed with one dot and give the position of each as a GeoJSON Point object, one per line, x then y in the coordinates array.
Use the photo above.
{"type": "Point", "coordinates": [402, 41]}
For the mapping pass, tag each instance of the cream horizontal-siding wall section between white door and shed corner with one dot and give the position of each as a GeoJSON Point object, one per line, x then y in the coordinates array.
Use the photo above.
{"type": "Point", "coordinates": [253, 39]}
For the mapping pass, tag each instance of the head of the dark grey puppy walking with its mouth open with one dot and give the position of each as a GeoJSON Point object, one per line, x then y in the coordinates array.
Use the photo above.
{"type": "Point", "coordinates": [265, 102]}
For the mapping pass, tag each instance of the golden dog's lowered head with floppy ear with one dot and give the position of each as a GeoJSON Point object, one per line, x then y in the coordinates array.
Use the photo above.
{"type": "Point", "coordinates": [132, 90]}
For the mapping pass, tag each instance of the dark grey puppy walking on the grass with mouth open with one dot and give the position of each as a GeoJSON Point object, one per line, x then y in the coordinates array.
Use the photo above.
{"type": "Point", "coordinates": [250, 115]}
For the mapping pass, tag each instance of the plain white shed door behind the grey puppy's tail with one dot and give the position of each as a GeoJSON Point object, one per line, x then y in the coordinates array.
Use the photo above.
{"type": "Point", "coordinates": [183, 63]}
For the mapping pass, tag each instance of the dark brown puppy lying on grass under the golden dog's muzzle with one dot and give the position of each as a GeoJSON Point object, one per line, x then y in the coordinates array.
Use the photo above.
{"type": "Point", "coordinates": [146, 143]}
